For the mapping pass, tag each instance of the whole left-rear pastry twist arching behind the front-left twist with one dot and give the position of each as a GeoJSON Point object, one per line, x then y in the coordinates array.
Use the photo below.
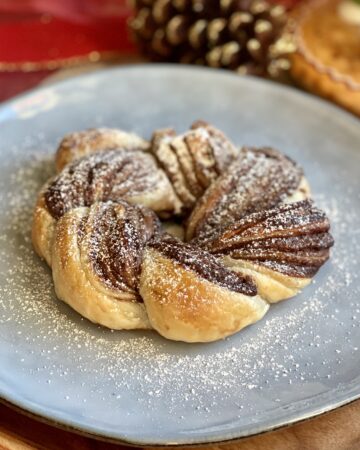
{"type": "Point", "coordinates": [119, 174]}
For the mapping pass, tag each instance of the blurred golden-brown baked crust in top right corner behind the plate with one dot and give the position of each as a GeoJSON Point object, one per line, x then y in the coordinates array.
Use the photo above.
{"type": "Point", "coordinates": [327, 63]}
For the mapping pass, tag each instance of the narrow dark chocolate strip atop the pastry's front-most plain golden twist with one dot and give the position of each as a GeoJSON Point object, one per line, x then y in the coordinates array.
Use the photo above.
{"type": "Point", "coordinates": [202, 263]}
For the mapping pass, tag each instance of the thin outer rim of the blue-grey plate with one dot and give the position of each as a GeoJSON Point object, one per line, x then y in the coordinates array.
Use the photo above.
{"type": "Point", "coordinates": [38, 412]}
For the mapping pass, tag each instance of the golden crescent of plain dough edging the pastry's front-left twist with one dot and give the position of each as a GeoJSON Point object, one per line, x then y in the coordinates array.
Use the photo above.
{"type": "Point", "coordinates": [77, 284]}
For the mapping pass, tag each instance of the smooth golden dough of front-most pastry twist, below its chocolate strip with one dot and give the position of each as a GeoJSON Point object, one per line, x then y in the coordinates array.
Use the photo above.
{"type": "Point", "coordinates": [185, 307]}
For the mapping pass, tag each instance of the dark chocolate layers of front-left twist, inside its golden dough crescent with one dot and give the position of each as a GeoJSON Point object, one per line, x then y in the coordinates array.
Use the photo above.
{"type": "Point", "coordinates": [113, 237]}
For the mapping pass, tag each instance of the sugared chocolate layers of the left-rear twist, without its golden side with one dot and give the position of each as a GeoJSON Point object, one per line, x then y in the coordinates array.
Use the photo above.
{"type": "Point", "coordinates": [109, 175]}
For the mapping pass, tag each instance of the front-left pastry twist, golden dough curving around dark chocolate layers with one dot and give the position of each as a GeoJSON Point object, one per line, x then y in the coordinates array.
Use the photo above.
{"type": "Point", "coordinates": [96, 259]}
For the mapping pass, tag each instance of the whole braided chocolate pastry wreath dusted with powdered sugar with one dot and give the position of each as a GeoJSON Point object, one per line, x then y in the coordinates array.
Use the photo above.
{"type": "Point", "coordinates": [251, 235]}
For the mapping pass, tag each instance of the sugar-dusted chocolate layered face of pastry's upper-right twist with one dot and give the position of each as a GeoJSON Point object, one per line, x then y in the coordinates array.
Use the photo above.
{"type": "Point", "coordinates": [258, 179]}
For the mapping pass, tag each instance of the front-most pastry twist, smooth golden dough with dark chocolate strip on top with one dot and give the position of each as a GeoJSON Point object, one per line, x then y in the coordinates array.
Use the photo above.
{"type": "Point", "coordinates": [190, 296]}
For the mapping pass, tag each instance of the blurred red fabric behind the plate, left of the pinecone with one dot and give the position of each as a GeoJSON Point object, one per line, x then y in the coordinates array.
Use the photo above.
{"type": "Point", "coordinates": [42, 30]}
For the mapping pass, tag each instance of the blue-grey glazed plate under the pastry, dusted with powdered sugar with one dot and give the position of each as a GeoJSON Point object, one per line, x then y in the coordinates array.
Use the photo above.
{"type": "Point", "coordinates": [302, 359]}
